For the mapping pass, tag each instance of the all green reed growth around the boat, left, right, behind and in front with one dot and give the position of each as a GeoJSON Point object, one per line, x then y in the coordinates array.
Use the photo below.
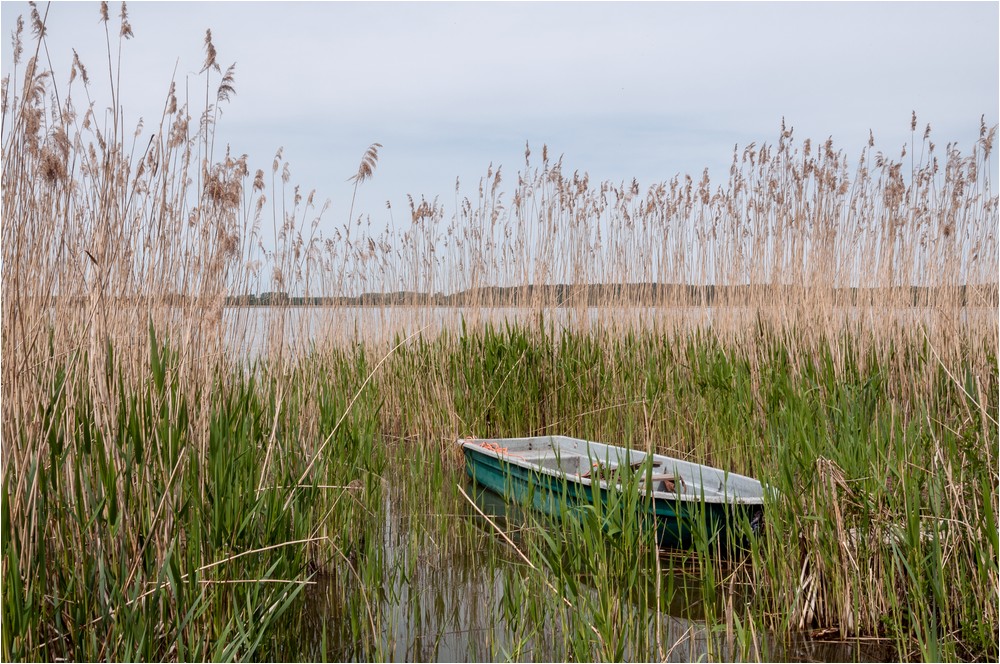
{"type": "Point", "coordinates": [885, 525]}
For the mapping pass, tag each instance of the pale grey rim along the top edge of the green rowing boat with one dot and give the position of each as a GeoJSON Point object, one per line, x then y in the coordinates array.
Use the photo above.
{"type": "Point", "coordinates": [720, 498]}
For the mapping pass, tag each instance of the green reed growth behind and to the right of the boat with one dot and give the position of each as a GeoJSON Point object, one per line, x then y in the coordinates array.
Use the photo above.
{"type": "Point", "coordinates": [884, 526]}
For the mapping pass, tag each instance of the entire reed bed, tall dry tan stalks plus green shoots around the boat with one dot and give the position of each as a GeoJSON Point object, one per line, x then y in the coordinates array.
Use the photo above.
{"type": "Point", "coordinates": [179, 461]}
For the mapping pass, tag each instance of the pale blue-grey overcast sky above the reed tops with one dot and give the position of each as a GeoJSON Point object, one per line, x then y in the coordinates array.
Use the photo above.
{"type": "Point", "coordinates": [623, 90]}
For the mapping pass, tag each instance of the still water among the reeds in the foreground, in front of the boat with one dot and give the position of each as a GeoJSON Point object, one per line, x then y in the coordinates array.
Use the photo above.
{"type": "Point", "coordinates": [441, 588]}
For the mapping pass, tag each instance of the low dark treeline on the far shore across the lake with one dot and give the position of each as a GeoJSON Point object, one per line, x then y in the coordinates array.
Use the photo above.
{"type": "Point", "coordinates": [643, 294]}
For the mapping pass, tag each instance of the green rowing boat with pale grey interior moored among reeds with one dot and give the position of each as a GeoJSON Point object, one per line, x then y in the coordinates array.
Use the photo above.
{"type": "Point", "coordinates": [558, 473]}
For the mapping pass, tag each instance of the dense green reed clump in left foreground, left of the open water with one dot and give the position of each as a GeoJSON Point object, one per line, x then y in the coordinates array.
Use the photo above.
{"type": "Point", "coordinates": [135, 546]}
